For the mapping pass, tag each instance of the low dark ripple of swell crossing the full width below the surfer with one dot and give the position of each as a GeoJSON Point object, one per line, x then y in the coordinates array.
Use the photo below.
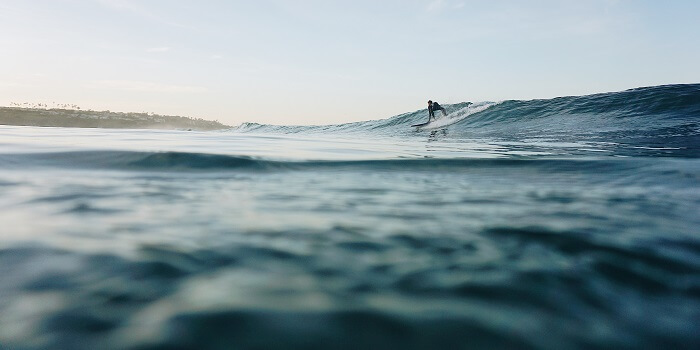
{"type": "Point", "coordinates": [183, 161]}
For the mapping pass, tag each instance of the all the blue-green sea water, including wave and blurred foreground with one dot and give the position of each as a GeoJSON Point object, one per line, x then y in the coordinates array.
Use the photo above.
{"type": "Point", "coordinates": [569, 223]}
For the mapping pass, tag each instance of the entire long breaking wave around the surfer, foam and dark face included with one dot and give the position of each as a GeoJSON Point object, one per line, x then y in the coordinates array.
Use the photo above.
{"type": "Point", "coordinates": [666, 117]}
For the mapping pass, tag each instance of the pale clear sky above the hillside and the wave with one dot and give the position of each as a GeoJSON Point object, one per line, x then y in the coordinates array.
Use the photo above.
{"type": "Point", "coordinates": [326, 62]}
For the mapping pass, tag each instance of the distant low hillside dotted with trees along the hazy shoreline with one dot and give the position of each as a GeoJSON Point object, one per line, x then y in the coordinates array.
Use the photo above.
{"type": "Point", "coordinates": [104, 119]}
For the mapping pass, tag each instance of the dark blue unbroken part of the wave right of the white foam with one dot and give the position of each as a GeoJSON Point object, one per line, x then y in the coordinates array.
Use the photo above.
{"type": "Point", "coordinates": [634, 111]}
